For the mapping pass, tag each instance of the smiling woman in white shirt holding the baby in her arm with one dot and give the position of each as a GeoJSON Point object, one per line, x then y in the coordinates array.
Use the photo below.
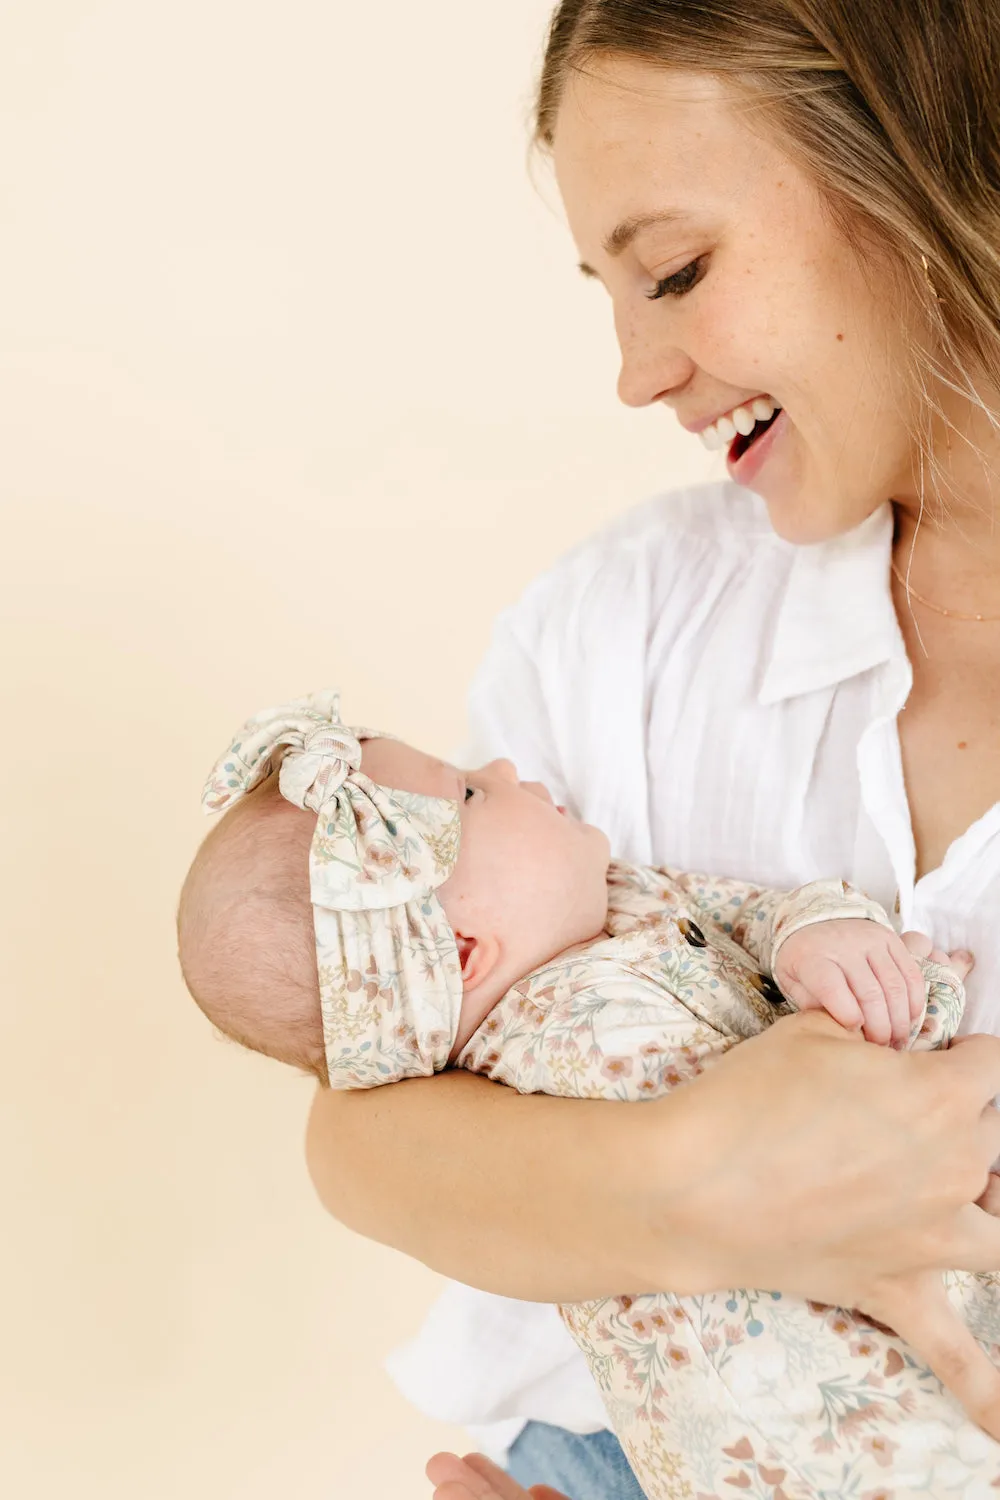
{"type": "Point", "coordinates": [794, 208]}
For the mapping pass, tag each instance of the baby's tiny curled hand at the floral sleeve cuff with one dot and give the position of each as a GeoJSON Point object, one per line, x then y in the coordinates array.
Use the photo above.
{"type": "Point", "coordinates": [863, 974]}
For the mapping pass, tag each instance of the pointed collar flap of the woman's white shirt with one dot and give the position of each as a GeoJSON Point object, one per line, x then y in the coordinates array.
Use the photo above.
{"type": "Point", "coordinates": [837, 616]}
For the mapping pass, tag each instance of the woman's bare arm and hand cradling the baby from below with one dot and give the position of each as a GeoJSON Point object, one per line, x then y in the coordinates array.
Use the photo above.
{"type": "Point", "coordinates": [804, 1162]}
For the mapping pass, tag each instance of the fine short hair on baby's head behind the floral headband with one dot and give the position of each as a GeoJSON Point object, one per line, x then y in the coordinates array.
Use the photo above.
{"type": "Point", "coordinates": [245, 931]}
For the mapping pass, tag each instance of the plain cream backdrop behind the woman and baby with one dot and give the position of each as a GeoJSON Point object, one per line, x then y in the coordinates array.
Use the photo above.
{"type": "Point", "coordinates": [283, 316]}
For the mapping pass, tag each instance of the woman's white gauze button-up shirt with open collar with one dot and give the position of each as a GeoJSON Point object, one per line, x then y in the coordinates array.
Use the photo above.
{"type": "Point", "coordinates": [717, 700]}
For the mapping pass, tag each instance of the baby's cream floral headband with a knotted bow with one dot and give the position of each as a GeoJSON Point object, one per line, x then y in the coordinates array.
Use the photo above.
{"type": "Point", "coordinates": [391, 977]}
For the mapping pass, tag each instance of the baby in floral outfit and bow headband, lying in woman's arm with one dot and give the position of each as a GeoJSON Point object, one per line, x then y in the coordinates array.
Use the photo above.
{"type": "Point", "coordinates": [370, 914]}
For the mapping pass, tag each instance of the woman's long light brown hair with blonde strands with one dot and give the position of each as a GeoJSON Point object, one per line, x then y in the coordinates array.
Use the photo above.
{"type": "Point", "coordinates": [891, 106]}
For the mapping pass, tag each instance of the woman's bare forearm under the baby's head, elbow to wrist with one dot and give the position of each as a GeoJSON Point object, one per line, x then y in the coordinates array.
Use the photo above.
{"type": "Point", "coordinates": [528, 1196]}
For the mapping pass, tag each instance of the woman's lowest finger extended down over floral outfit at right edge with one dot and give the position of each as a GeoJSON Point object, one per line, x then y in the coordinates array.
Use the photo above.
{"type": "Point", "coordinates": [918, 1309]}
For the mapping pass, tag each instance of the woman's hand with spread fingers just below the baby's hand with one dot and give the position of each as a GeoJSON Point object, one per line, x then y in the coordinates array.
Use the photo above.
{"type": "Point", "coordinates": [887, 1208]}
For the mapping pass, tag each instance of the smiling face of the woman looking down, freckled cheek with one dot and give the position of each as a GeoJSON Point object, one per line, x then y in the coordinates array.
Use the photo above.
{"type": "Point", "coordinates": [669, 175]}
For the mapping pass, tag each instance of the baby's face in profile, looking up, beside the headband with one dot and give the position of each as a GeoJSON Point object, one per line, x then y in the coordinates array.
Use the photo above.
{"type": "Point", "coordinates": [528, 872]}
